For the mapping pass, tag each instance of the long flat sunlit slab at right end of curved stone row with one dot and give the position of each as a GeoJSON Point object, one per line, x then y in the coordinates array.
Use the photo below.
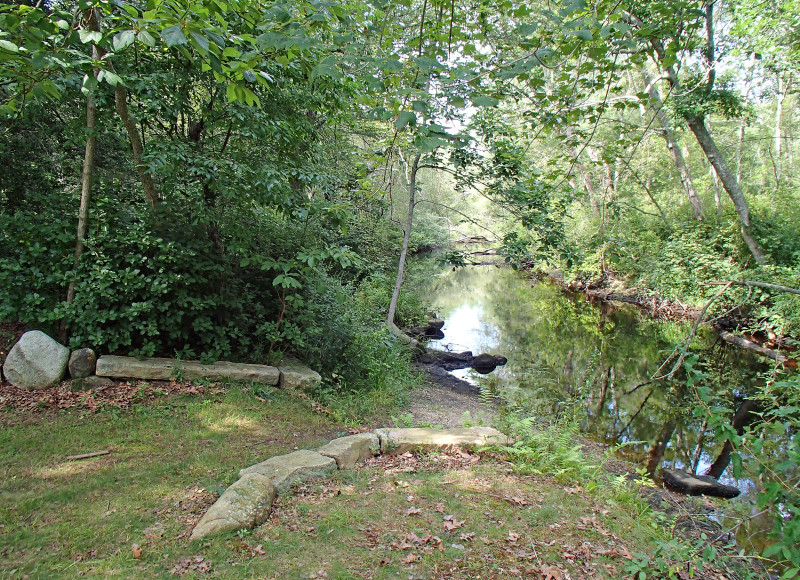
{"type": "Point", "coordinates": [394, 441]}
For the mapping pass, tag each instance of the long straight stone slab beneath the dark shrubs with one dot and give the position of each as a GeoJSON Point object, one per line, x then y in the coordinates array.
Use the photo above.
{"type": "Point", "coordinates": [165, 369]}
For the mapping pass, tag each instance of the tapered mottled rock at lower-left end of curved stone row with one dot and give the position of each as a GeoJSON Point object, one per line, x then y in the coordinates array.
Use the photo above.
{"type": "Point", "coordinates": [244, 505]}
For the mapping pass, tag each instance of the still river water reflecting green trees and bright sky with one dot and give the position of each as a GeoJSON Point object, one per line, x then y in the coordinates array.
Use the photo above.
{"type": "Point", "coordinates": [566, 354]}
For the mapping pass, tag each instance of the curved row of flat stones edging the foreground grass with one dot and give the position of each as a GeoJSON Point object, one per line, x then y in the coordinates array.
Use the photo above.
{"type": "Point", "coordinates": [248, 502]}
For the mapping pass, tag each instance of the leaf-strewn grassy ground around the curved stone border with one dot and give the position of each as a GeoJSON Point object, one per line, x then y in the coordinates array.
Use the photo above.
{"type": "Point", "coordinates": [174, 447]}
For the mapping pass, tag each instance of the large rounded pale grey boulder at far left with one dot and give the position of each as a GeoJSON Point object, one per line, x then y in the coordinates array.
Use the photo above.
{"type": "Point", "coordinates": [36, 361]}
